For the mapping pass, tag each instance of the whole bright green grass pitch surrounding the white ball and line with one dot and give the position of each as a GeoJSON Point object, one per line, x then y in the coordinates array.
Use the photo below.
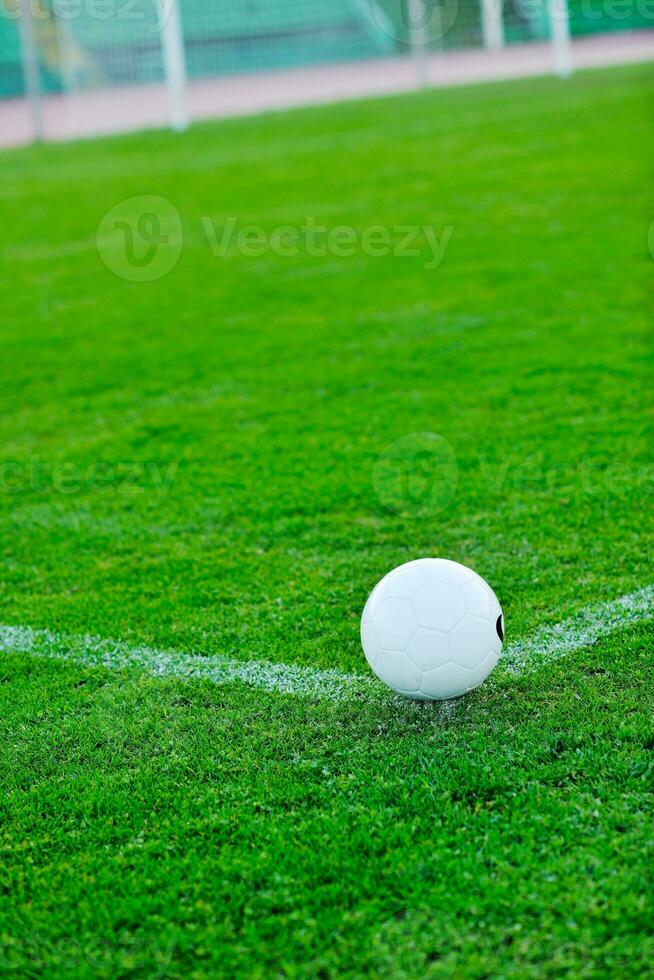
{"type": "Point", "coordinates": [188, 464]}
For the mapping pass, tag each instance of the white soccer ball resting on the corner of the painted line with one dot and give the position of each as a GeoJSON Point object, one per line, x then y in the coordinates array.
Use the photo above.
{"type": "Point", "coordinates": [432, 629]}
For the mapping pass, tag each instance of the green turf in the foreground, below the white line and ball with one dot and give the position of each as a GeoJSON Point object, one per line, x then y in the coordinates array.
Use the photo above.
{"type": "Point", "coordinates": [148, 826]}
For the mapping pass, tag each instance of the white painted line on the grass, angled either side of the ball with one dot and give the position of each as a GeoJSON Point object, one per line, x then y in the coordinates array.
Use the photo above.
{"type": "Point", "coordinates": [546, 645]}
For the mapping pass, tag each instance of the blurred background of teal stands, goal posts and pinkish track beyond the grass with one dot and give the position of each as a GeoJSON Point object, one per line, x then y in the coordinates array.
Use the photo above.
{"type": "Point", "coordinates": [72, 68]}
